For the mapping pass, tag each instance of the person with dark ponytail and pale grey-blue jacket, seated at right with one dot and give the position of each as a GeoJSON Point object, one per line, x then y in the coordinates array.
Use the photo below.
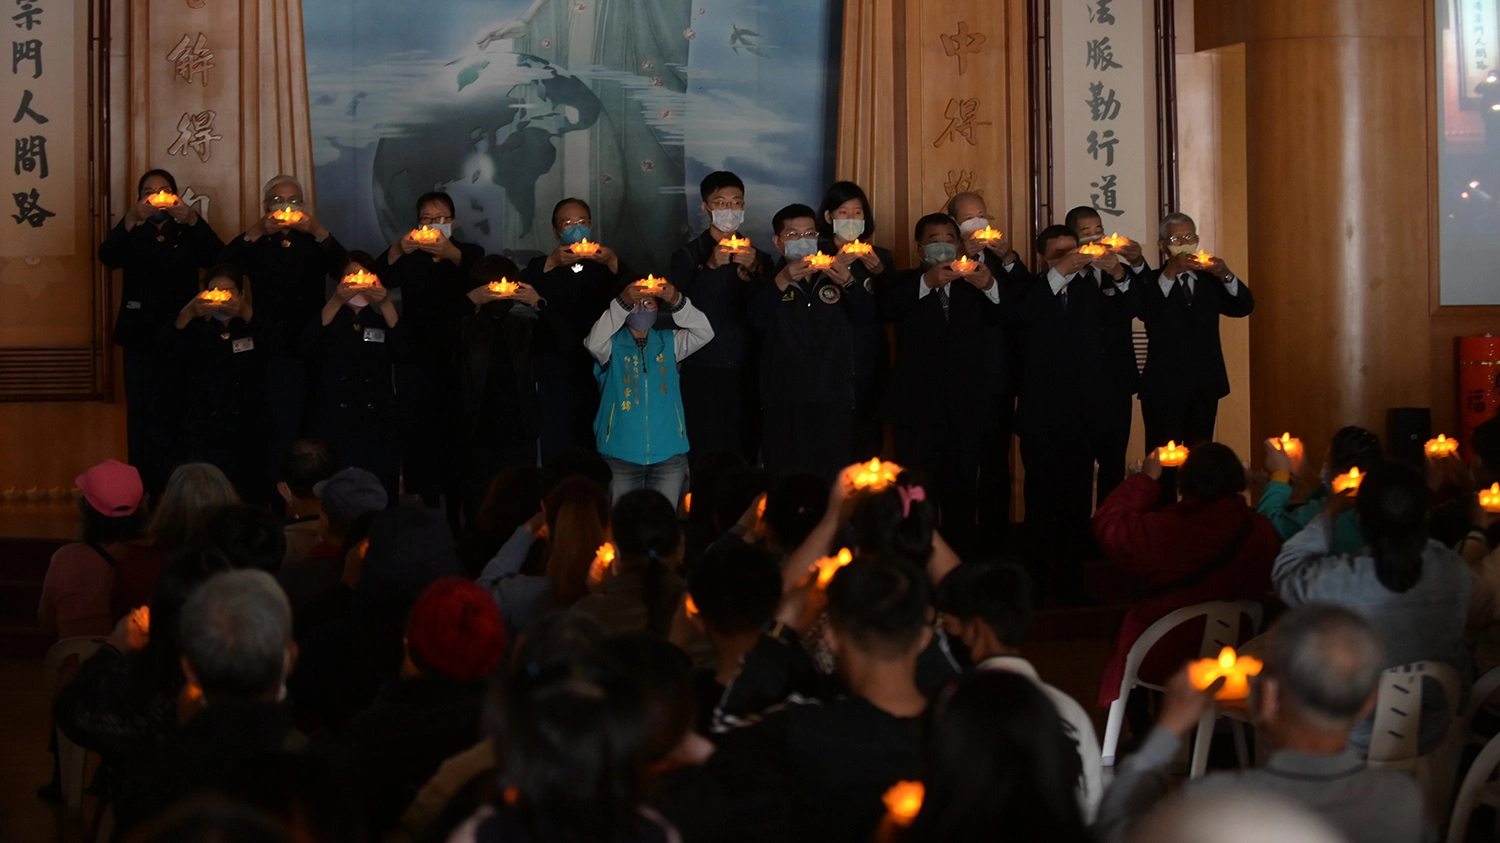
{"type": "Point", "coordinates": [1414, 590]}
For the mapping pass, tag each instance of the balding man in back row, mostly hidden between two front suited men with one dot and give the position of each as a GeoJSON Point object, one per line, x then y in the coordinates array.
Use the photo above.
{"type": "Point", "coordinates": [973, 217]}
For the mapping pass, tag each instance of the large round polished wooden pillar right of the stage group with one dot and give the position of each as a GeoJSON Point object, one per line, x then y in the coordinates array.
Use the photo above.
{"type": "Point", "coordinates": [1339, 136]}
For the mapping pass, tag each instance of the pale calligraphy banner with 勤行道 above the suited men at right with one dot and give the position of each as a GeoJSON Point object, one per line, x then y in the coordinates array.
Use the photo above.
{"type": "Point", "coordinates": [1105, 115]}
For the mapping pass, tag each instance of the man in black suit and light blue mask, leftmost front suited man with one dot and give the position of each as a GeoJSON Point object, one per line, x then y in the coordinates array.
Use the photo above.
{"type": "Point", "coordinates": [946, 385]}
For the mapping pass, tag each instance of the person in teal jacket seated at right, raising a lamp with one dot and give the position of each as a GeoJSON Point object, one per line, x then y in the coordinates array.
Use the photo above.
{"type": "Point", "coordinates": [1351, 448]}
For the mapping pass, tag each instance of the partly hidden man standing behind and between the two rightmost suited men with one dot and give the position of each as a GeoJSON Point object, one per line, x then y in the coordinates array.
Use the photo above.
{"type": "Point", "coordinates": [1117, 404]}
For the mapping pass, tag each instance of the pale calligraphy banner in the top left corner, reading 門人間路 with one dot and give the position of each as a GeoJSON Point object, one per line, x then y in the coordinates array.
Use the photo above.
{"type": "Point", "coordinates": [43, 91]}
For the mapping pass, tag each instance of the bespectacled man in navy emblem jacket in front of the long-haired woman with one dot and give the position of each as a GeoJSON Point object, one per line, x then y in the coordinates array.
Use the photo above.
{"type": "Point", "coordinates": [811, 320]}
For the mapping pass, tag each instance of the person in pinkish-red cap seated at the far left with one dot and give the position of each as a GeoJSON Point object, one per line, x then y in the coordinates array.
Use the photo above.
{"type": "Point", "coordinates": [80, 578]}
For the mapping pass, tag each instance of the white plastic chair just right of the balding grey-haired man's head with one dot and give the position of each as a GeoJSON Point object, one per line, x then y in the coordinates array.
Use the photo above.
{"type": "Point", "coordinates": [1399, 727]}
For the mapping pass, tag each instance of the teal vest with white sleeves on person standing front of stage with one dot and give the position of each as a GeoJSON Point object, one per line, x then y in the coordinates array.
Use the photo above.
{"type": "Point", "coordinates": [640, 406]}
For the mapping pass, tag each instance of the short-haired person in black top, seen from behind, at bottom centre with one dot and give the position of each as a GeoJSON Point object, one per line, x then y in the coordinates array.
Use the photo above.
{"type": "Point", "coordinates": [839, 755]}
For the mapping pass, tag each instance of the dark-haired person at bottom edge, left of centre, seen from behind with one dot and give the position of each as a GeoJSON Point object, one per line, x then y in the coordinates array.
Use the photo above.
{"type": "Point", "coordinates": [572, 754]}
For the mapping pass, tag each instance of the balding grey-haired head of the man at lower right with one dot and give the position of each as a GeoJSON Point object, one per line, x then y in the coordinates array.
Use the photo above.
{"type": "Point", "coordinates": [1330, 661]}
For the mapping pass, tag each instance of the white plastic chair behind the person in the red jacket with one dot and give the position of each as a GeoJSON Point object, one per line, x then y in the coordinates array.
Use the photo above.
{"type": "Point", "coordinates": [1222, 622]}
